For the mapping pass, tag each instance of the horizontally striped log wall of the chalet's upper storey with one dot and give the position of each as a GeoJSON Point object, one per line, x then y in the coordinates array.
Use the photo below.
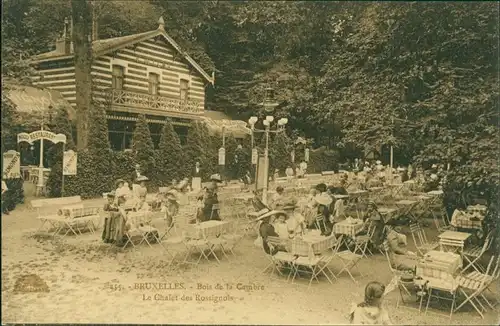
{"type": "Point", "coordinates": [138, 62]}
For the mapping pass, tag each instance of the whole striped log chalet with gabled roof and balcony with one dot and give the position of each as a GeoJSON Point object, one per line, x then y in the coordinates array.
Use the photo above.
{"type": "Point", "coordinates": [146, 73]}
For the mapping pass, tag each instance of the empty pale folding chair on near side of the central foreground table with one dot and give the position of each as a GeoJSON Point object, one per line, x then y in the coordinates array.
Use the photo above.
{"type": "Point", "coordinates": [314, 264]}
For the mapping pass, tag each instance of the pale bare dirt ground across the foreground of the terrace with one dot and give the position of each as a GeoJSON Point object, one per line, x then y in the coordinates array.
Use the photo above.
{"type": "Point", "coordinates": [89, 284]}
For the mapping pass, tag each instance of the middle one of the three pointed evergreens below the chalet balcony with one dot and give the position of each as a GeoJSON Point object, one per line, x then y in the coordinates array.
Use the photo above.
{"type": "Point", "coordinates": [170, 155]}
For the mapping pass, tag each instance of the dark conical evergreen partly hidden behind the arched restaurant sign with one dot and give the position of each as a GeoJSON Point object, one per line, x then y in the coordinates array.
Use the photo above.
{"type": "Point", "coordinates": [61, 125]}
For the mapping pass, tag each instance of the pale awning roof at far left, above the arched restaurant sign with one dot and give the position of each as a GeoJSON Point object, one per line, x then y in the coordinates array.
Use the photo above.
{"type": "Point", "coordinates": [37, 101]}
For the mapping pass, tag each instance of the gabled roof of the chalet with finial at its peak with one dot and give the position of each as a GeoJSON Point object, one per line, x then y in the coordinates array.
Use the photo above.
{"type": "Point", "coordinates": [101, 47]}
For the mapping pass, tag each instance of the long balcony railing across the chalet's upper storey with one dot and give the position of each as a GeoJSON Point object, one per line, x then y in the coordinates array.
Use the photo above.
{"type": "Point", "coordinates": [155, 102]}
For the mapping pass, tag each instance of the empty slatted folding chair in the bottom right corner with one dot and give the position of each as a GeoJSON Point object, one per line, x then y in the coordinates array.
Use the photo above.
{"type": "Point", "coordinates": [473, 286]}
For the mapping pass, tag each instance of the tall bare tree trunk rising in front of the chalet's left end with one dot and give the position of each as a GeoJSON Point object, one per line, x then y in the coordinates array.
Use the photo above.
{"type": "Point", "coordinates": [81, 12]}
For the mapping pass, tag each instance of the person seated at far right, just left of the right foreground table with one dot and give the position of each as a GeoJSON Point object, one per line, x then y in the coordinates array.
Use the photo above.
{"type": "Point", "coordinates": [401, 258]}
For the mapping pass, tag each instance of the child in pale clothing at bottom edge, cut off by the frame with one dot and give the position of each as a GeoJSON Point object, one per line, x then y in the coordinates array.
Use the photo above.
{"type": "Point", "coordinates": [370, 311]}
